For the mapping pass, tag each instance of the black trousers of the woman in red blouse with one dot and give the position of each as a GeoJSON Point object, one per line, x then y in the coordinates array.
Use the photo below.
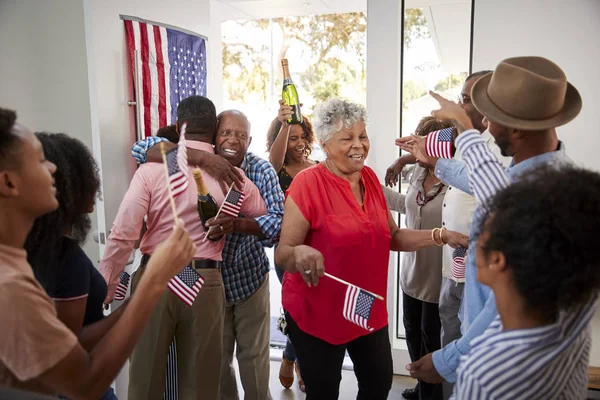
{"type": "Point", "coordinates": [321, 366]}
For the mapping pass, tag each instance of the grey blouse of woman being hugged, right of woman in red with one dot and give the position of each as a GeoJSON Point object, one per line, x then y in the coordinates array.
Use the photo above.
{"type": "Point", "coordinates": [420, 275]}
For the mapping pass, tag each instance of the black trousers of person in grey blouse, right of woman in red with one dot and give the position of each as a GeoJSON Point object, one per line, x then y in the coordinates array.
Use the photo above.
{"type": "Point", "coordinates": [422, 325]}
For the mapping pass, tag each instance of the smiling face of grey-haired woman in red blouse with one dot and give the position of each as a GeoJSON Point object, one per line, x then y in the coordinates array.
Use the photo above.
{"type": "Point", "coordinates": [348, 148]}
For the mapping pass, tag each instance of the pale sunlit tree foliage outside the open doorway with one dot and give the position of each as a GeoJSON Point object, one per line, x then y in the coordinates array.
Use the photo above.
{"type": "Point", "coordinates": [326, 38]}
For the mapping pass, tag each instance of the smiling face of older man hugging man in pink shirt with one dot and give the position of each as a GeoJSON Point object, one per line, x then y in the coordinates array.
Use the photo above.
{"type": "Point", "coordinates": [233, 138]}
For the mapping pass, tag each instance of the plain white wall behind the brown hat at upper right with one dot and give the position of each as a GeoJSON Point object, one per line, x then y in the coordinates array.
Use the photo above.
{"type": "Point", "coordinates": [566, 32]}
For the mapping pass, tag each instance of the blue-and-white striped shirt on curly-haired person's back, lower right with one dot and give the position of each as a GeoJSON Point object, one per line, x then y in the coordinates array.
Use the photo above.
{"type": "Point", "coordinates": [548, 362]}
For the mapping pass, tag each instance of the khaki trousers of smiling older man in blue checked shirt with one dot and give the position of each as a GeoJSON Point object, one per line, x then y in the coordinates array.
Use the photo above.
{"type": "Point", "coordinates": [247, 324]}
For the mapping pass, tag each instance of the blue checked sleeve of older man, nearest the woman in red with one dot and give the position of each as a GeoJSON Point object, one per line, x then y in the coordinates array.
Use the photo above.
{"type": "Point", "coordinates": [271, 192]}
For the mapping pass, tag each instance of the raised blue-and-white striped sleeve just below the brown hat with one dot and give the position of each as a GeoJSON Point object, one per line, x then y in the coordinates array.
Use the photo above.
{"type": "Point", "coordinates": [486, 174]}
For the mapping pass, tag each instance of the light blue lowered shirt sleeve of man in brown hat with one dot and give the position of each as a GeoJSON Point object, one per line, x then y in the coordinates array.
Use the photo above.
{"type": "Point", "coordinates": [447, 359]}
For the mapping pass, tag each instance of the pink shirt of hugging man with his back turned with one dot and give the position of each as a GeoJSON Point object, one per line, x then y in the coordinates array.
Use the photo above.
{"type": "Point", "coordinates": [148, 194]}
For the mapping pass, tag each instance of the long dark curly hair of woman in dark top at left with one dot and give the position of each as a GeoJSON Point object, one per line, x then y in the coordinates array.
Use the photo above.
{"type": "Point", "coordinates": [77, 182]}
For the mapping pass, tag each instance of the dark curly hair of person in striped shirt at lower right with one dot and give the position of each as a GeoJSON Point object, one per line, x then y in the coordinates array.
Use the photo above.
{"type": "Point", "coordinates": [544, 225]}
